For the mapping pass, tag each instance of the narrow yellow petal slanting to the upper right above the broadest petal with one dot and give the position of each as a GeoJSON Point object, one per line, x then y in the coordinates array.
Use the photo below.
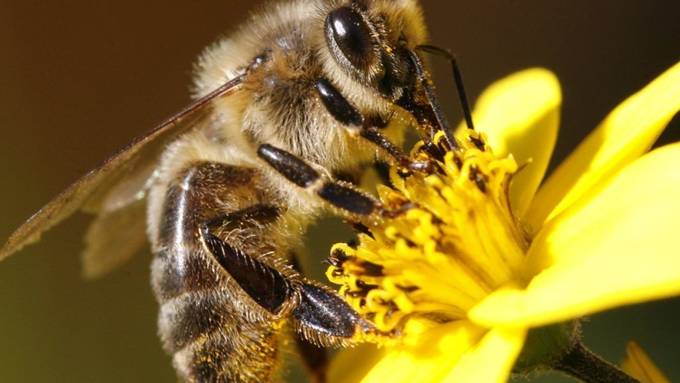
{"type": "Point", "coordinates": [628, 132]}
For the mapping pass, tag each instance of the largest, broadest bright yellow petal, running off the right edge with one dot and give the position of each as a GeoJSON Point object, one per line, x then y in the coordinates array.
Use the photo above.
{"type": "Point", "coordinates": [618, 248]}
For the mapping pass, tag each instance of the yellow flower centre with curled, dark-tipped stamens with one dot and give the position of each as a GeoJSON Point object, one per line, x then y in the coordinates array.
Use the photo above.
{"type": "Point", "coordinates": [455, 243]}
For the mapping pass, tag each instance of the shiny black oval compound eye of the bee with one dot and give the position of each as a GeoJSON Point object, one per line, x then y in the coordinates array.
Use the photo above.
{"type": "Point", "coordinates": [347, 30]}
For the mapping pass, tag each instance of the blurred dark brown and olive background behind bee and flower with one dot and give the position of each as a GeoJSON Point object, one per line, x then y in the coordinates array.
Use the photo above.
{"type": "Point", "coordinates": [79, 79]}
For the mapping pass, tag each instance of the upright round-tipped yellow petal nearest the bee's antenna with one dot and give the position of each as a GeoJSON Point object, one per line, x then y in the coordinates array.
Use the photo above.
{"type": "Point", "coordinates": [520, 115]}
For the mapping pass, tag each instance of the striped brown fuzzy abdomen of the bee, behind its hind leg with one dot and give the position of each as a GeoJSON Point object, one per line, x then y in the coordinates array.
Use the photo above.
{"type": "Point", "coordinates": [204, 323]}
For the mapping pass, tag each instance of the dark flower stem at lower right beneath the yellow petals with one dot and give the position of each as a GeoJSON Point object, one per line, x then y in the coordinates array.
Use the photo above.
{"type": "Point", "coordinates": [582, 364]}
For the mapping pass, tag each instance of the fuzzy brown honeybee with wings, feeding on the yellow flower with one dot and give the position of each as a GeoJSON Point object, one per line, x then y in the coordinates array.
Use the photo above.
{"type": "Point", "coordinates": [304, 94]}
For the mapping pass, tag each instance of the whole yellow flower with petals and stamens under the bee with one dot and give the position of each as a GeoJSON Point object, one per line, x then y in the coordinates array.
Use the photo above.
{"type": "Point", "coordinates": [481, 254]}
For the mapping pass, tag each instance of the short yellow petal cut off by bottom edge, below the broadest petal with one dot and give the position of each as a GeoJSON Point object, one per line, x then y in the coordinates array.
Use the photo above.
{"type": "Point", "coordinates": [492, 359]}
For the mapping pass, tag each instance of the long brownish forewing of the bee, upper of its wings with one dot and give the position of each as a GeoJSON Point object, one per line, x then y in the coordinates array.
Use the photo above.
{"type": "Point", "coordinates": [93, 190]}
